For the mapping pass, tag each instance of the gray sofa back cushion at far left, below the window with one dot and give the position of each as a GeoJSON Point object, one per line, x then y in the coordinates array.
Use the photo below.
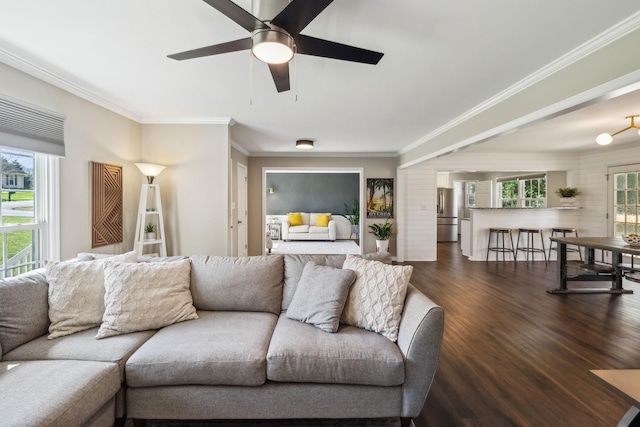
{"type": "Point", "coordinates": [23, 309]}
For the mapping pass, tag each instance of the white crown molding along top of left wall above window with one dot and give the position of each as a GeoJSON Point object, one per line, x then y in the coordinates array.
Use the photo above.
{"type": "Point", "coordinates": [20, 62]}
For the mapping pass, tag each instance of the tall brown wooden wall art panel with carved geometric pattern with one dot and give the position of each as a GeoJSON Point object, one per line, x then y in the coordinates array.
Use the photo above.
{"type": "Point", "coordinates": [106, 204]}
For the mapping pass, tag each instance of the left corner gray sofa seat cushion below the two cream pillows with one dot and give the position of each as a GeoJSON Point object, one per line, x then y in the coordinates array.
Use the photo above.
{"type": "Point", "coordinates": [82, 346]}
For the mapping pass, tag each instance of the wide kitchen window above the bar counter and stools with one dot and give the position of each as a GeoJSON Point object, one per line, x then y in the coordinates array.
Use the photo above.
{"type": "Point", "coordinates": [523, 192]}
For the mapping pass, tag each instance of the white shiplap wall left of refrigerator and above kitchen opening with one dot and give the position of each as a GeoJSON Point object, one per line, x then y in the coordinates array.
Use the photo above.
{"type": "Point", "coordinates": [419, 231]}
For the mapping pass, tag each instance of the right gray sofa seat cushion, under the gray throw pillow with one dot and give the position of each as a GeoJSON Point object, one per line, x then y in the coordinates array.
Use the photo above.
{"type": "Point", "coordinates": [302, 353]}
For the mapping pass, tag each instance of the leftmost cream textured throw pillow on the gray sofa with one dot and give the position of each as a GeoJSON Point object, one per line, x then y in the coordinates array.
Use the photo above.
{"type": "Point", "coordinates": [76, 294]}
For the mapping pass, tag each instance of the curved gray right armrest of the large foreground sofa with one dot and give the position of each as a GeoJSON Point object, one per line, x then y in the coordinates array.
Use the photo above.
{"type": "Point", "coordinates": [419, 339]}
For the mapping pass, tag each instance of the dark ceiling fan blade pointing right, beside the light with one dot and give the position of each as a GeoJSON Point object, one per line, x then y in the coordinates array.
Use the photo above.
{"type": "Point", "coordinates": [327, 49]}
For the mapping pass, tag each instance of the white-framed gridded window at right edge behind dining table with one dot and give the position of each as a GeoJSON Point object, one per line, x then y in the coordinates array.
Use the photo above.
{"type": "Point", "coordinates": [625, 203]}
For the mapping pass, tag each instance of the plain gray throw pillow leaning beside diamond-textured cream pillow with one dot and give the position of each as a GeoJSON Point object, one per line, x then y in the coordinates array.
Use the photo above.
{"type": "Point", "coordinates": [321, 295]}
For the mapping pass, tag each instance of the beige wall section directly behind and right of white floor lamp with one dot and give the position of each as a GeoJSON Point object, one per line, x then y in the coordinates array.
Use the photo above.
{"type": "Point", "coordinates": [195, 185]}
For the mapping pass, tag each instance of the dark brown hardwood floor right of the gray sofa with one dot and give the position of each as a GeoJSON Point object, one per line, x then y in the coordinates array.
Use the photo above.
{"type": "Point", "coordinates": [514, 355]}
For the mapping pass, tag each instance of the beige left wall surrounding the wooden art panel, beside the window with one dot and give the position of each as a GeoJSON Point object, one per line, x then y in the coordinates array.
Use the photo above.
{"type": "Point", "coordinates": [92, 133]}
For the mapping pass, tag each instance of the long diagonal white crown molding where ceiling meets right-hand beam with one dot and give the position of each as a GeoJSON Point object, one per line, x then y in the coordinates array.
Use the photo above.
{"type": "Point", "coordinates": [614, 33]}
